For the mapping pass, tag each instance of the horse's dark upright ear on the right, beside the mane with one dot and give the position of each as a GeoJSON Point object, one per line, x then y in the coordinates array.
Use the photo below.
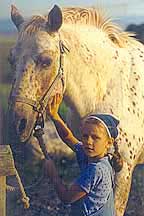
{"type": "Point", "coordinates": [54, 19]}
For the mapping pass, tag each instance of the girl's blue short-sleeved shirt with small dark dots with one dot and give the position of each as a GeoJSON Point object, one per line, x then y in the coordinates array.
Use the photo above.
{"type": "Point", "coordinates": [96, 179]}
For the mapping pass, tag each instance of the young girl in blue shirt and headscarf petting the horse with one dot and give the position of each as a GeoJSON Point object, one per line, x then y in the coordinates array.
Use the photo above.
{"type": "Point", "coordinates": [91, 193]}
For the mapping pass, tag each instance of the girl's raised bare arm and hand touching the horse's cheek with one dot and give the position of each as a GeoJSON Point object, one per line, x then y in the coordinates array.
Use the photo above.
{"type": "Point", "coordinates": [62, 129]}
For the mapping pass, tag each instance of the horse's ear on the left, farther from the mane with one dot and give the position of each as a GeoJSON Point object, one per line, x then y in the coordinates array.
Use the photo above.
{"type": "Point", "coordinates": [16, 17]}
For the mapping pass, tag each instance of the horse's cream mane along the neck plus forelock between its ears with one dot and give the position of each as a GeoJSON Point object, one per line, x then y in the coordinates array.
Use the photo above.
{"type": "Point", "coordinates": [84, 16]}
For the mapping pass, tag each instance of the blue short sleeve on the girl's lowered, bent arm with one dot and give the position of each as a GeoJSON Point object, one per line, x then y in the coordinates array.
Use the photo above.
{"type": "Point", "coordinates": [90, 177]}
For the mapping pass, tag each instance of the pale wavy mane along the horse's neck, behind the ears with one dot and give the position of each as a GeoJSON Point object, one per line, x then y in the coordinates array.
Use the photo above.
{"type": "Point", "coordinates": [96, 17]}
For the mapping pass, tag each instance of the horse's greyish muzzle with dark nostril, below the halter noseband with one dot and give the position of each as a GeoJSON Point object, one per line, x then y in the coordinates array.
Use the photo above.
{"type": "Point", "coordinates": [23, 118]}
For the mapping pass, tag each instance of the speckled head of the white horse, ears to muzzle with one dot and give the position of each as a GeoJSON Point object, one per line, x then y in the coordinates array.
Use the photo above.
{"type": "Point", "coordinates": [36, 60]}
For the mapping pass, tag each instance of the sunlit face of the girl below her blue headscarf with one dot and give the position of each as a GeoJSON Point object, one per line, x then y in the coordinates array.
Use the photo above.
{"type": "Point", "coordinates": [95, 139]}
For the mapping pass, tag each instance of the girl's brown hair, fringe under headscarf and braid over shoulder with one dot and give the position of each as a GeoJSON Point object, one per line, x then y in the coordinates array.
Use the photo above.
{"type": "Point", "coordinates": [115, 158]}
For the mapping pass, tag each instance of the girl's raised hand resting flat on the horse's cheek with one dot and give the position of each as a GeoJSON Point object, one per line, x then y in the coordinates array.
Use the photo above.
{"type": "Point", "coordinates": [53, 105]}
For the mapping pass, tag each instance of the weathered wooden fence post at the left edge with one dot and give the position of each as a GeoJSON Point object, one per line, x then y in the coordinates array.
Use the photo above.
{"type": "Point", "coordinates": [7, 168]}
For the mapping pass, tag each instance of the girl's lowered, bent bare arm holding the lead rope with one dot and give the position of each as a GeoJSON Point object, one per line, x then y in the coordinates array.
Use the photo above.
{"type": "Point", "coordinates": [66, 195]}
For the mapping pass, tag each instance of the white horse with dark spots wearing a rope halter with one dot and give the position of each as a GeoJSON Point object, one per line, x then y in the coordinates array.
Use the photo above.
{"type": "Point", "coordinates": [103, 72]}
